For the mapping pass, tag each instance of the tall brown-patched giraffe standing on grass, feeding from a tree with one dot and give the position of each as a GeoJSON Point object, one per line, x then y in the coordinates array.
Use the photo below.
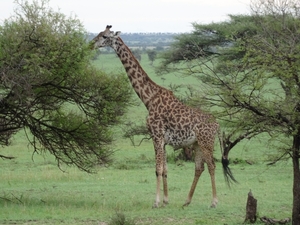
{"type": "Point", "coordinates": [169, 121]}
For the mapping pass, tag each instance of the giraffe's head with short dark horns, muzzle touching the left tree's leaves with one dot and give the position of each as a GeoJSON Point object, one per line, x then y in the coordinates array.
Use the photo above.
{"type": "Point", "coordinates": [105, 38]}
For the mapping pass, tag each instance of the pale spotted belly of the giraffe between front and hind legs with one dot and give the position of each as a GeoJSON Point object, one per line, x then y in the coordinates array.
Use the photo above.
{"type": "Point", "coordinates": [180, 138]}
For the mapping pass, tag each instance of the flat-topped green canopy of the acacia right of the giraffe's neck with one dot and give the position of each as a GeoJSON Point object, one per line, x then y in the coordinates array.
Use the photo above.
{"type": "Point", "coordinates": [209, 41]}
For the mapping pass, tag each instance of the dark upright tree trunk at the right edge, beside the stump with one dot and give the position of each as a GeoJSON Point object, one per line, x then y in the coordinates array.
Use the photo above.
{"type": "Point", "coordinates": [296, 184]}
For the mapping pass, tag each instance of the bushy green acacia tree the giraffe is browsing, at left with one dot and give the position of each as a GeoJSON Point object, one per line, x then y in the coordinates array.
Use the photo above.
{"type": "Point", "coordinates": [50, 89]}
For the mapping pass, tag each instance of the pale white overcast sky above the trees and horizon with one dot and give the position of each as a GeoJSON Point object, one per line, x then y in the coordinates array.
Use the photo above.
{"type": "Point", "coordinates": [131, 16]}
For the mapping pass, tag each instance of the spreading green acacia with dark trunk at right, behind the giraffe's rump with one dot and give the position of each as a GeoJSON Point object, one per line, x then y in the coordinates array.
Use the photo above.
{"type": "Point", "coordinates": [249, 67]}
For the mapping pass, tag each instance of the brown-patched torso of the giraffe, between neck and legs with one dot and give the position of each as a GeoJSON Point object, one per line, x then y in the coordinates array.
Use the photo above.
{"type": "Point", "coordinates": [179, 124]}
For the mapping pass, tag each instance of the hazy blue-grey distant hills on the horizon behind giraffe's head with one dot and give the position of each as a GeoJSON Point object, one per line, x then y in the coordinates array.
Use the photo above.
{"type": "Point", "coordinates": [146, 40]}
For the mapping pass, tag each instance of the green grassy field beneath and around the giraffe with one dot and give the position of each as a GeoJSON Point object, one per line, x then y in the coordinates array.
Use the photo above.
{"type": "Point", "coordinates": [34, 191]}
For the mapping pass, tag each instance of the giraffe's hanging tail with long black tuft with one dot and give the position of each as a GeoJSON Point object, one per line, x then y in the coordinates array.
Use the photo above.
{"type": "Point", "coordinates": [229, 178]}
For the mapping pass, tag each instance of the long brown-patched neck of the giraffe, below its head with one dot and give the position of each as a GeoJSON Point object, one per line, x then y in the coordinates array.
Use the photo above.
{"type": "Point", "coordinates": [144, 87]}
